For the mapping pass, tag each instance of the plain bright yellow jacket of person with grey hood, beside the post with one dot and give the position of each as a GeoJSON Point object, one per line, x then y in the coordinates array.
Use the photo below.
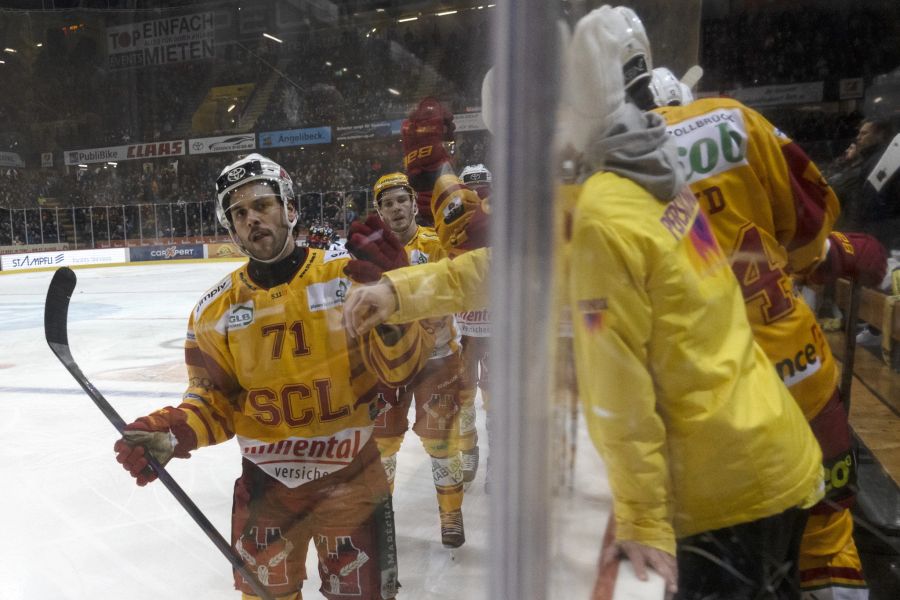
{"type": "Point", "coordinates": [695, 428]}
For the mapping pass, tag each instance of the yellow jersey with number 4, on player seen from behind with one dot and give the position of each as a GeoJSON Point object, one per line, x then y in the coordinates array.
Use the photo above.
{"type": "Point", "coordinates": [771, 211]}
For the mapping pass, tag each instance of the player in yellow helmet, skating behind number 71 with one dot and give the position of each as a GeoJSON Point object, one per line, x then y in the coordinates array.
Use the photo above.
{"type": "Point", "coordinates": [444, 407]}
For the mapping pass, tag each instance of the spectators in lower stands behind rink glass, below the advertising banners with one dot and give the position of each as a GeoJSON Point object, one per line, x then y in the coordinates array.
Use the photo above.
{"type": "Point", "coordinates": [333, 184]}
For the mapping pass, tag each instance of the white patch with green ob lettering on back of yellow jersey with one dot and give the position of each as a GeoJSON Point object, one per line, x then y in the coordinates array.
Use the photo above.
{"type": "Point", "coordinates": [711, 143]}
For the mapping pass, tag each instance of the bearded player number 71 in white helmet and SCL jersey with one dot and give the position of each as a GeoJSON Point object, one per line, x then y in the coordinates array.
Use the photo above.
{"type": "Point", "coordinates": [269, 363]}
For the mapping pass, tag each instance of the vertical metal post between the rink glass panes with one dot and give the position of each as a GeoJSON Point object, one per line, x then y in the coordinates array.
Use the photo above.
{"type": "Point", "coordinates": [521, 278]}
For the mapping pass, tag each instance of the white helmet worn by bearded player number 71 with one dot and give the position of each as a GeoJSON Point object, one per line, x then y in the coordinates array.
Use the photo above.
{"type": "Point", "coordinates": [253, 167]}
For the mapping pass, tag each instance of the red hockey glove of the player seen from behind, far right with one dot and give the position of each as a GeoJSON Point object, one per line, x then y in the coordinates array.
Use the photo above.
{"type": "Point", "coordinates": [853, 255]}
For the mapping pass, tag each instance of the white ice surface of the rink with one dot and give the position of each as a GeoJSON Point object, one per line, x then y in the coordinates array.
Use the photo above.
{"type": "Point", "coordinates": [76, 527]}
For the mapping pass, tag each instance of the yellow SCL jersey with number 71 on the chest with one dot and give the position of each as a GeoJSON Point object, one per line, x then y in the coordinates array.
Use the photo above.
{"type": "Point", "coordinates": [275, 368]}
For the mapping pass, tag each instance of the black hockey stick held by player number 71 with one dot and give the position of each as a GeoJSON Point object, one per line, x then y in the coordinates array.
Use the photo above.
{"type": "Point", "coordinates": [56, 316]}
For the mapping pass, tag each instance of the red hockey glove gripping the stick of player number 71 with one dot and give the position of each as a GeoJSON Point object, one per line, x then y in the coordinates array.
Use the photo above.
{"type": "Point", "coordinates": [164, 434]}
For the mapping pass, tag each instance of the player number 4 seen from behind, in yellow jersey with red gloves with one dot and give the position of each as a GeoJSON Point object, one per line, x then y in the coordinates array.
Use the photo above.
{"type": "Point", "coordinates": [772, 212]}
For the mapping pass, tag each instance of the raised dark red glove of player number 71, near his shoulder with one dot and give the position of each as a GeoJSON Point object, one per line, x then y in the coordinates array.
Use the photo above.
{"type": "Point", "coordinates": [374, 248]}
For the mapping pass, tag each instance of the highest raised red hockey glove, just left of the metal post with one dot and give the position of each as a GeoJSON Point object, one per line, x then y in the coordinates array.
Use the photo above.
{"type": "Point", "coordinates": [429, 125]}
